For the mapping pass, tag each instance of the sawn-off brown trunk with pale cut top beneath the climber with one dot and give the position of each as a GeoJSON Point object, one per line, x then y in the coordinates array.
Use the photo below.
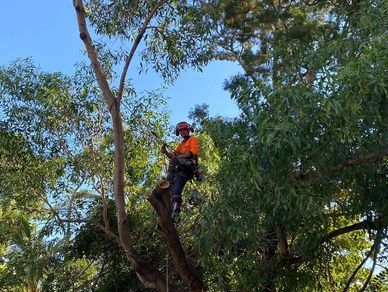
{"type": "Point", "coordinates": [160, 200]}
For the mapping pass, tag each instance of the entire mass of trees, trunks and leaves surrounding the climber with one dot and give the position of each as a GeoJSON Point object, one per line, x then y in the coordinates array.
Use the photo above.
{"type": "Point", "coordinates": [295, 189]}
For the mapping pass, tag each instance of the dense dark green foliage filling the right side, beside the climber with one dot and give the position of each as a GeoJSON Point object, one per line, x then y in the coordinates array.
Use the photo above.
{"type": "Point", "coordinates": [308, 154]}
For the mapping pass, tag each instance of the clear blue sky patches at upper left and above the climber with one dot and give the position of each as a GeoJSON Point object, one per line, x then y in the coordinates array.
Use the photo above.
{"type": "Point", "coordinates": [47, 31]}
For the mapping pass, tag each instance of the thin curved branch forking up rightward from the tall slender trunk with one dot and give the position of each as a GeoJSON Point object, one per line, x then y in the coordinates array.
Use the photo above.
{"type": "Point", "coordinates": [135, 45]}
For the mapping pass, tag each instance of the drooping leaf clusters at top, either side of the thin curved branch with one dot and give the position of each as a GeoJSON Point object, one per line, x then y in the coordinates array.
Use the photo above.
{"type": "Point", "coordinates": [170, 42]}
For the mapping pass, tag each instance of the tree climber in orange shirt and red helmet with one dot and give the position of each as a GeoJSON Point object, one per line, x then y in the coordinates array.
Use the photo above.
{"type": "Point", "coordinates": [183, 165]}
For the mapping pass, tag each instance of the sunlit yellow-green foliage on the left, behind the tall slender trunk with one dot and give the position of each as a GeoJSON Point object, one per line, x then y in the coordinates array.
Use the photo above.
{"type": "Point", "coordinates": [56, 156]}
